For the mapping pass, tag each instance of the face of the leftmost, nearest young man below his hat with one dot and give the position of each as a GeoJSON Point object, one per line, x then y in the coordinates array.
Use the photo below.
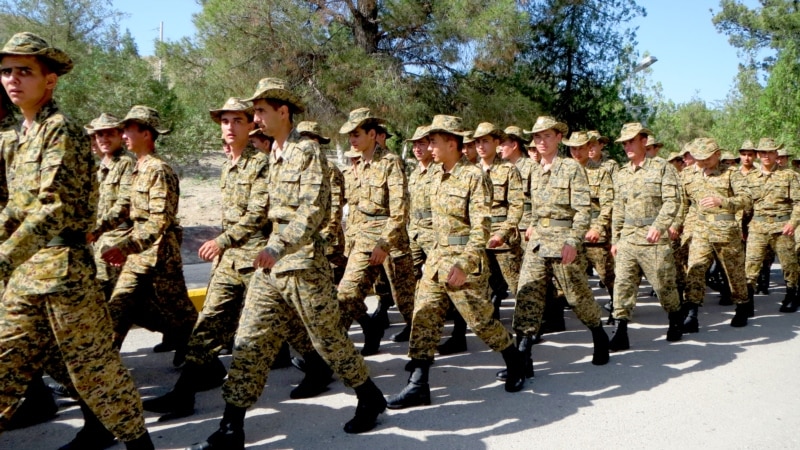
{"type": "Point", "coordinates": [25, 80]}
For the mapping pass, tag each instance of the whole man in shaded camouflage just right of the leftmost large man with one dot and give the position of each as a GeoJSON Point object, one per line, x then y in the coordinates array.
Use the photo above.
{"type": "Point", "coordinates": [151, 290]}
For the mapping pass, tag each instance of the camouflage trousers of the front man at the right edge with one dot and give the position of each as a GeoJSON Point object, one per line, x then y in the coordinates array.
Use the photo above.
{"type": "Point", "coordinates": [782, 245]}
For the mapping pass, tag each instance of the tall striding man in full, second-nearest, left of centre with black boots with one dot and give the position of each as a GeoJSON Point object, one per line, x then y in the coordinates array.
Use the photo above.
{"type": "Point", "coordinates": [298, 283]}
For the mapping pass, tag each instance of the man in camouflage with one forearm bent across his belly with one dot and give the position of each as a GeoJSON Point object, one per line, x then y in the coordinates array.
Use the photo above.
{"type": "Point", "coordinates": [717, 194]}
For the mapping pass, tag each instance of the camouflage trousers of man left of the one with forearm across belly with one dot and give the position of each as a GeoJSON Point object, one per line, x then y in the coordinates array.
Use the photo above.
{"type": "Point", "coordinates": [657, 263]}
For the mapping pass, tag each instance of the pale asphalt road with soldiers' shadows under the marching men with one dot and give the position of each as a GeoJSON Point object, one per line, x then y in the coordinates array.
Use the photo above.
{"type": "Point", "coordinates": [723, 387]}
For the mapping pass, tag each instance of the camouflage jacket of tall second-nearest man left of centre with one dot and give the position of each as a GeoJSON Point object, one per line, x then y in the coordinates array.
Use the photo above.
{"type": "Point", "coordinates": [300, 204]}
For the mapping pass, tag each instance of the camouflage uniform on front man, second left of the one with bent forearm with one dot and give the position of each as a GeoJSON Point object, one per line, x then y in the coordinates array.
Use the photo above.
{"type": "Point", "coordinates": [561, 214]}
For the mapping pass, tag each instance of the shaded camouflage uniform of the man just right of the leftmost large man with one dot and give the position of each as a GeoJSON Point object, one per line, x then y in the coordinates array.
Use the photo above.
{"type": "Point", "coordinates": [151, 290]}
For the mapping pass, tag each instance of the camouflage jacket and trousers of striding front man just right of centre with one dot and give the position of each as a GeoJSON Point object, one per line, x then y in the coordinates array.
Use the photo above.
{"type": "Point", "coordinates": [460, 204]}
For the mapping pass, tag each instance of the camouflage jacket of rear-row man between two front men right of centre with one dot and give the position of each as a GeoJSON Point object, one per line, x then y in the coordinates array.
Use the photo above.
{"type": "Point", "coordinates": [508, 200]}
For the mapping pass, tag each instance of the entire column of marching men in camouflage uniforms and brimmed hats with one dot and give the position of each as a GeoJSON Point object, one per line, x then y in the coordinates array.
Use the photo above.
{"type": "Point", "coordinates": [485, 213]}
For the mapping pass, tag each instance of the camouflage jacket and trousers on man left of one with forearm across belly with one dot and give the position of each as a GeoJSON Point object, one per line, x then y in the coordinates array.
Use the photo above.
{"type": "Point", "coordinates": [645, 196]}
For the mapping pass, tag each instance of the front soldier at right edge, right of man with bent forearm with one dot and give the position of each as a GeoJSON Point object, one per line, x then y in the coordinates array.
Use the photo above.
{"type": "Point", "coordinates": [776, 214]}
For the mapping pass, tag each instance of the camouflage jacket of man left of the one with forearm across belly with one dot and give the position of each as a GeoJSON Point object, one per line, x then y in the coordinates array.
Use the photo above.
{"type": "Point", "coordinates": [645, 196]}
